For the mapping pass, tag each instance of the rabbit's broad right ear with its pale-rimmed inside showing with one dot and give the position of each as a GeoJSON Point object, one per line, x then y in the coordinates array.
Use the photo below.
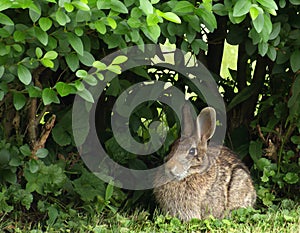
{"type": "Point", "coordinates": [206, 124]}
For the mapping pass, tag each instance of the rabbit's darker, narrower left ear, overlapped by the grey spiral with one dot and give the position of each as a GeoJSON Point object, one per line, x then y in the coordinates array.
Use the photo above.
{"type": "Point", "coordinates": [188, 125]}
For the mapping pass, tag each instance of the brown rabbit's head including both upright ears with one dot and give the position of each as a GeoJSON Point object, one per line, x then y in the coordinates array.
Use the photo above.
{"type": "Point", "coordinates": [188, 154]}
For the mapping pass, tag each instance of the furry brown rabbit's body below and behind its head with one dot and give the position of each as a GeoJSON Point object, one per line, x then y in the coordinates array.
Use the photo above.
{"type": "Point", "coordinates": [226, 185]}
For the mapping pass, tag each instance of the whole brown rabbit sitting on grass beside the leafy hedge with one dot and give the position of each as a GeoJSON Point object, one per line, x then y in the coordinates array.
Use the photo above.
{"type": "Point", "coordinates": [203, 180]}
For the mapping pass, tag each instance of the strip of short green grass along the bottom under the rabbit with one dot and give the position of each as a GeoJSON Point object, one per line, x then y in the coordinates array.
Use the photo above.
{"type": "Point", "coordinates": [276, 219]}
